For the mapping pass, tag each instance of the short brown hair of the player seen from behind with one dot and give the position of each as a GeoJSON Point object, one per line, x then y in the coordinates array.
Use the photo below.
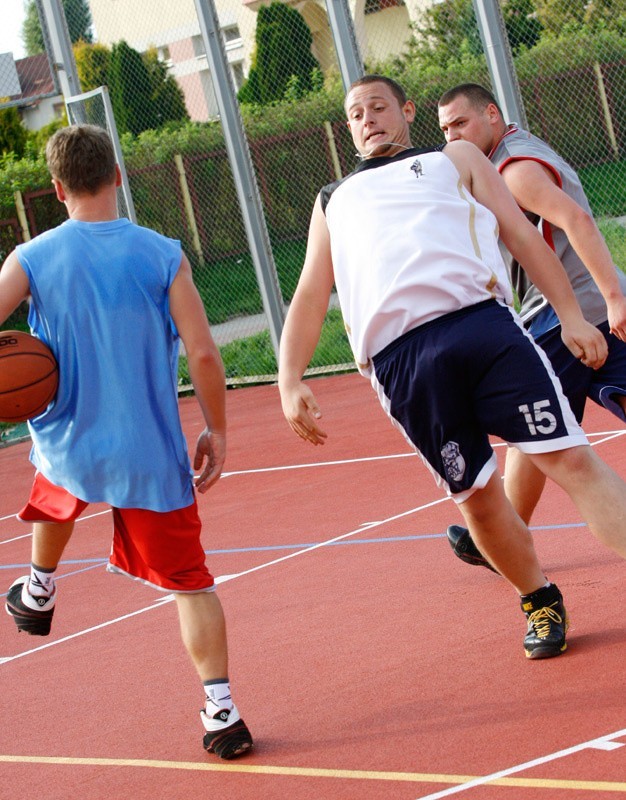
{"type": "Point", "coordinates": [82, 158]}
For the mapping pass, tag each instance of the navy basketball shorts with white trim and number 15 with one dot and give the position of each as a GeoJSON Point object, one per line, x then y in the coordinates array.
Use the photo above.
{"type": "Point", "coordinates": [450, 384]}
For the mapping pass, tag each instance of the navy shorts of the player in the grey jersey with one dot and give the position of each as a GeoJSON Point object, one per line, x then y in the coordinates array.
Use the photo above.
{"type": "Point", "coordinates": [579, 382]}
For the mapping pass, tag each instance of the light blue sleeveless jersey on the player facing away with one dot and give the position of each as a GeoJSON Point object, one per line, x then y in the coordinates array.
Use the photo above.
{"type": "Point", "coordinates": [100, 300]}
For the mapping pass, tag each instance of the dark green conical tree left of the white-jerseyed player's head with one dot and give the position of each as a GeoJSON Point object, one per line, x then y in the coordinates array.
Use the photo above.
{"type": "Point", "coordinates": [283, 62]}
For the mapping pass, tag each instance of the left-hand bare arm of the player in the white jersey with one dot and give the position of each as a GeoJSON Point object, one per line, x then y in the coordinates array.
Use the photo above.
{"type": "Point", "coordinates": [302, 332]}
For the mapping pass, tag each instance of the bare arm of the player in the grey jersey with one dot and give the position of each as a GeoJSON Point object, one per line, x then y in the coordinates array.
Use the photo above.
{"type": "Point", "coordinates": [536, 190]}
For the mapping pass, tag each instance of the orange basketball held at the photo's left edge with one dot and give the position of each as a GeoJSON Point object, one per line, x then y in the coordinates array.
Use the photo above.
{"type": "Point", "coordinates": [29, 376]}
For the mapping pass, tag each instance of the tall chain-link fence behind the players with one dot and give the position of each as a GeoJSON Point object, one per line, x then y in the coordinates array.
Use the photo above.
{"type": "Point", "coordinates": [570, 62]}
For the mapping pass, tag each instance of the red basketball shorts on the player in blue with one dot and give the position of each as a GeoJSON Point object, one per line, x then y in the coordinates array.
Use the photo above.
{"type": "Point", "coordinates": [160, 548]}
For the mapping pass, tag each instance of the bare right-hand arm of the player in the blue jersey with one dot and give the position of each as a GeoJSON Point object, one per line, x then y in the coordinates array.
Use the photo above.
{"type": "Point", "coordinates": [206, 371]}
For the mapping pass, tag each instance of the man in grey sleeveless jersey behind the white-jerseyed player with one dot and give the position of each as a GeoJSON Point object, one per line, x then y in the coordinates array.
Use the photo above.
{"type": "Point", "coordinates": [549, 191]}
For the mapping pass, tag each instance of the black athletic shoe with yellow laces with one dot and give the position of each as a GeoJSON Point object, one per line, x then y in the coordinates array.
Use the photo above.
{"type": "Point", "coordinates": [547, 623]}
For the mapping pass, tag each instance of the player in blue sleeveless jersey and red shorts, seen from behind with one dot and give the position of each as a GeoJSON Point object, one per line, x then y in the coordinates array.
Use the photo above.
{"type": "Point", "coordinates": [112, 300]}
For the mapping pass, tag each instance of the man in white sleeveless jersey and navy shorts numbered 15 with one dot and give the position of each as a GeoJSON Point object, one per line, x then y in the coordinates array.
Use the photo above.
{"type": "Point", "coordinates": [410, 241]}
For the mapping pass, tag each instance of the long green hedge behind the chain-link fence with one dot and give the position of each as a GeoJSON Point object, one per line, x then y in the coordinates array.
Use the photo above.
{"type": "Point", "coordinates": [560, 94]}
